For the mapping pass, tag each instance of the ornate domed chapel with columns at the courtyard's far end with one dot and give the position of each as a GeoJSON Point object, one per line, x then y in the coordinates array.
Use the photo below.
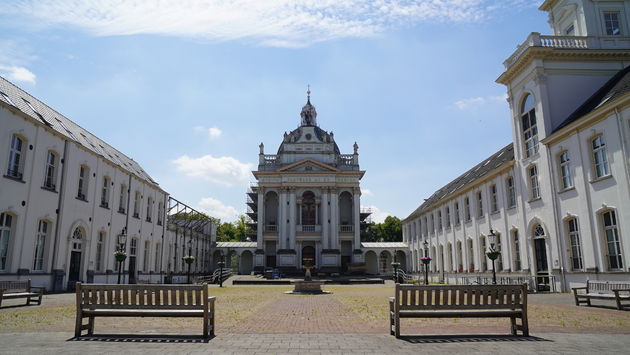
{"type": "Point", "coordinates": [306, 203]}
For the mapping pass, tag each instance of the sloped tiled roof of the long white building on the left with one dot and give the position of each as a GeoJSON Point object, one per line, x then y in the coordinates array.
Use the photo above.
{"type": "Point", "coordinates": [42, 113]}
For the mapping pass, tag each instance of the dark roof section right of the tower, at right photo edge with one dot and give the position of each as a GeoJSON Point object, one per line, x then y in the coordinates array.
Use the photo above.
{"type": "Point", "coordinates": [617, 86]}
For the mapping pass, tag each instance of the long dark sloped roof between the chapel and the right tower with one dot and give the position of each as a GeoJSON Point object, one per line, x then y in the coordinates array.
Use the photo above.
{"type": "Point", "coordinates": [499, 158]}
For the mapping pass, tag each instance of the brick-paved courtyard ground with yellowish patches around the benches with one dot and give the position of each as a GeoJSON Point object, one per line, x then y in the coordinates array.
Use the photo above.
{"type": "Point", "coordinates": [352, 319]}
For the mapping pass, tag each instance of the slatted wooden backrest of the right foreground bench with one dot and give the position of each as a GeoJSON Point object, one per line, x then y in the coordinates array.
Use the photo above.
{"type": "Point", "coordinates": [411, 297]}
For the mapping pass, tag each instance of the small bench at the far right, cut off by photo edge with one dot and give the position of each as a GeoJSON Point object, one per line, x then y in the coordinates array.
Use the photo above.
{"type": "Point", "coordinates": [604, 290]}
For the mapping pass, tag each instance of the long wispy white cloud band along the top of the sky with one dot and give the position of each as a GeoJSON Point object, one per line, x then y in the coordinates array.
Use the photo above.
{"type": "Point", "coordinates": [279, 23]}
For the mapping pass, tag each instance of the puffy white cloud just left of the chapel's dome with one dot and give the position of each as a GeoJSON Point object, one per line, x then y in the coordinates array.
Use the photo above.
{"type": "Point", "coordinates": [226, 171]}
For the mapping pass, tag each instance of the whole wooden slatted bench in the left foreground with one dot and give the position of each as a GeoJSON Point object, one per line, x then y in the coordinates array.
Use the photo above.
{"type": "Point", "coordinates": [100, 300]}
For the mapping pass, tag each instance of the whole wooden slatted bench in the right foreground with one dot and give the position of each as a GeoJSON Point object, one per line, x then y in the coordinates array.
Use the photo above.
{"type": "Point", "coordinates": [478, 301]}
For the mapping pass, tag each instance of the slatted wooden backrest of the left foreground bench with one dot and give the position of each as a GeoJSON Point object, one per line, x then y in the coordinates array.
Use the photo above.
{"type": "Point", "coordinates": [101, 296]}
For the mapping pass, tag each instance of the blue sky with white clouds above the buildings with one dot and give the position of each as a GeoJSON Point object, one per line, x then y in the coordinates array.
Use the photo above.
{"type": "Point", "coordinates": [190, 89]}
